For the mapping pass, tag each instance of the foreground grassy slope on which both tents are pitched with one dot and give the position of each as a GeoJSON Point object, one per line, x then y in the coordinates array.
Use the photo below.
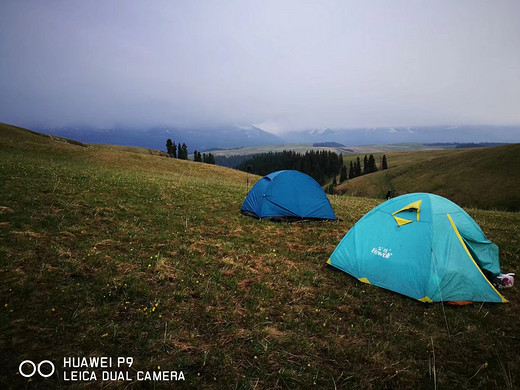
{"type": "Point", "coordinates": [113, 253]}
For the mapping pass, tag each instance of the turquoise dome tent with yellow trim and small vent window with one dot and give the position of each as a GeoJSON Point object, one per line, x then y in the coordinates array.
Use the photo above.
{"type": "Point", "coordinates": [423, 246]}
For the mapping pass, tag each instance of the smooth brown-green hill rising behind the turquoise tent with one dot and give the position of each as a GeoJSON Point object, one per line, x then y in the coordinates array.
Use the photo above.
{"type": "Point", "coordinates": [486, 178]}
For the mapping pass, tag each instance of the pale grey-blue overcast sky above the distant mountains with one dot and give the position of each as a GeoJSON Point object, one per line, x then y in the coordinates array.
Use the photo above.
{"type": "Point", "coordinates": [283, 65]}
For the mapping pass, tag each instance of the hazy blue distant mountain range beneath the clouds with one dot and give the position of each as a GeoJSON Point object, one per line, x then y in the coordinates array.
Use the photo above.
{"type": "Point", "coordinates": [205, 139]}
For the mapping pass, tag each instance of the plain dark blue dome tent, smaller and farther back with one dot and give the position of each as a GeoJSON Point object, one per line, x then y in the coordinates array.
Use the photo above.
{"type": "Point", "coordinates": [287, 195]}
